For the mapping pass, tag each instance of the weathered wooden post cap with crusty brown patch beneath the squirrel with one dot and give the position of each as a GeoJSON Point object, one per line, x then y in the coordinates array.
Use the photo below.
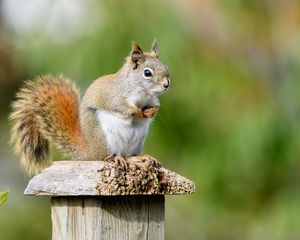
{"type": "Point", "coordinates": [98, 178]}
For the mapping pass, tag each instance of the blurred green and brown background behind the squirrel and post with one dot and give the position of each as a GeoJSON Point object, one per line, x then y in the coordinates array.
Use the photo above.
{"type": "Point", "coordinates": [230, 122]}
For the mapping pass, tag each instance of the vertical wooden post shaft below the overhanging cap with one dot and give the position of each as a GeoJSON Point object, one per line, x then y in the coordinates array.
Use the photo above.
{"type": "Point", "coordinates": [109, 218]}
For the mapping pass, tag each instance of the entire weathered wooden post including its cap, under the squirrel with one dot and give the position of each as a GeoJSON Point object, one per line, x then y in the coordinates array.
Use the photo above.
{"type": "Point", "coordinates": [100, 200]}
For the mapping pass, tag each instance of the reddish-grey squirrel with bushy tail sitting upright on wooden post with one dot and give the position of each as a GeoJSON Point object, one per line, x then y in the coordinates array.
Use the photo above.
{"type": "Point", "coordinates": [111, 120]}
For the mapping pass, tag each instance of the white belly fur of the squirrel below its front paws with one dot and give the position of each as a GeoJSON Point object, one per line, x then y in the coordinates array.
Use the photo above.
{"type": "Point", "coordinates": [124, 137]}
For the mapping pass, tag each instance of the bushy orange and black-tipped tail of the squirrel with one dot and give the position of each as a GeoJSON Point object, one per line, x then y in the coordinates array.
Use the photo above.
{"type": "Point", "coordinates": [46, 109]}
